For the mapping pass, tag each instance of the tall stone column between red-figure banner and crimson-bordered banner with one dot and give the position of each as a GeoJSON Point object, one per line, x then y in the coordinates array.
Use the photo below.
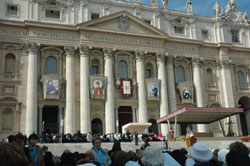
{"type": "Point", "coordinates": [109, 104]}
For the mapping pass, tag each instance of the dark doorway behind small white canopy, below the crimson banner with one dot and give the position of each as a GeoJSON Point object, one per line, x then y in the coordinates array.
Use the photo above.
{"type": "Point", "coordinates": [124, 116]}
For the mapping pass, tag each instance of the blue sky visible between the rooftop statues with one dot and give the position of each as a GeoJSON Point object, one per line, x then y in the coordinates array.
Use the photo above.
{"type": "Point", "coordinates": [205, 7]}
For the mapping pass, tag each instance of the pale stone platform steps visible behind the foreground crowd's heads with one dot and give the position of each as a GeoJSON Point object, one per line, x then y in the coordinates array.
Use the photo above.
{"type": "Point", "coordinates": [213, 142]}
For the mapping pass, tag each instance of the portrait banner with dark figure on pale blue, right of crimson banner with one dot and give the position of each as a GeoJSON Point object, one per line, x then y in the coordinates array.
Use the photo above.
{"type": "Point", "coordinates": [153, 89]}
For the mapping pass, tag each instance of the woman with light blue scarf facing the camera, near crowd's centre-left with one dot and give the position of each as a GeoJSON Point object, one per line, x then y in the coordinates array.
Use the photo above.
{"type": "Point", "coordinates": [100, 155]}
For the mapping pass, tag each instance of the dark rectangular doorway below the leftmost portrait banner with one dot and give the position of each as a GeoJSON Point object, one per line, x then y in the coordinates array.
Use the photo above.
{"type": "Point", "coordinates": [50, 119]}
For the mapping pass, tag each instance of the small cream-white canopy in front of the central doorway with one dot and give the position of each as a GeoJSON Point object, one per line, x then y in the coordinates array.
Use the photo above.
{"type": "Point", "coordinates": [136, 127]}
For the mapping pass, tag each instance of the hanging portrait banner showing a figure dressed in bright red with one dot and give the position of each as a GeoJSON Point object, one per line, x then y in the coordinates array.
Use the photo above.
{"type": "Point", "coordinates": [97, 87]}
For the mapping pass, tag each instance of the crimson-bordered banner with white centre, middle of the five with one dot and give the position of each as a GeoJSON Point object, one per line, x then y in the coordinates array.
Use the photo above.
{"type": "Point", "coordinates": [126, 87]}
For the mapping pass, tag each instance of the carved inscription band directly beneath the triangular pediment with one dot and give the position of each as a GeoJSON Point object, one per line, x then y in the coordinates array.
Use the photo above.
{"type": "Point", "coordinates": [121, 40]}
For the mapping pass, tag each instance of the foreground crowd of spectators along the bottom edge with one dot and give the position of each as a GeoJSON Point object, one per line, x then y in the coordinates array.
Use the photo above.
{"type": "Point", "coordinates": [16, 153]}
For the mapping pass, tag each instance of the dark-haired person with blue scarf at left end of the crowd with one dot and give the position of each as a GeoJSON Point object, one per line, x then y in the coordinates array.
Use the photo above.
{"type": "Point", "coordinates": [36, 151]}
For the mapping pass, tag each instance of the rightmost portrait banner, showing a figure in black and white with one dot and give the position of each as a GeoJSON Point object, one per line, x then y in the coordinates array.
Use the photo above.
{"type": "Point", "coordinates": [186, 92]}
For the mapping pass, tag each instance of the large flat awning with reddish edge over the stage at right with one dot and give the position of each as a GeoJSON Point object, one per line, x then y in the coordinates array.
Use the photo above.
{"type": "Point", "coordinates": [199, 115]}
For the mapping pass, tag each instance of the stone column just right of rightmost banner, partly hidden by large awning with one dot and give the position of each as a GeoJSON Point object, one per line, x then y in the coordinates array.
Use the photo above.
{"type": "Point", "coordinates": [199, 92]}
